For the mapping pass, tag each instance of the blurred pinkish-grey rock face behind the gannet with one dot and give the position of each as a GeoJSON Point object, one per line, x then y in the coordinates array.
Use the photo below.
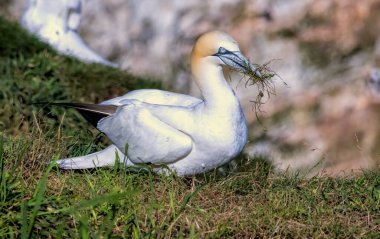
{"type": "Point", "coordinates": [324, 51]}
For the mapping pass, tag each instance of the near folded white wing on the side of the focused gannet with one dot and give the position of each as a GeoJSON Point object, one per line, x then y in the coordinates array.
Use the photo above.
{"type": "Point", "coordinates": [149, 139]}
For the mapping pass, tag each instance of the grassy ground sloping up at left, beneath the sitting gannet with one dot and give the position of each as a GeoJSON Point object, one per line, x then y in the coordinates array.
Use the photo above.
{"type": "Point", "coordinates": [38, 200]}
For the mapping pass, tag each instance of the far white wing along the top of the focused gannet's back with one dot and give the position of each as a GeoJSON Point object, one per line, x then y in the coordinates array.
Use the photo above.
{"type": "Point", "coordinates": [158, 97]}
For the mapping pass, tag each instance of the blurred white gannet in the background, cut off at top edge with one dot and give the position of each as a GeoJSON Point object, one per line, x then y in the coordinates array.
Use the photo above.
{"type": "Point", "coordinates": [57, 22]}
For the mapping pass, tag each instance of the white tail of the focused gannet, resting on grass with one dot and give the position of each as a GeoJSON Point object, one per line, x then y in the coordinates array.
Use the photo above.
{"type": "Point", "coordinates": [105, 158]}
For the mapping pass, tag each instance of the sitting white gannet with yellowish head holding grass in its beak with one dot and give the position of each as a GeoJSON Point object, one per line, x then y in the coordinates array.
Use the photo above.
{"type": "Point", "coordinates": [170, 131]}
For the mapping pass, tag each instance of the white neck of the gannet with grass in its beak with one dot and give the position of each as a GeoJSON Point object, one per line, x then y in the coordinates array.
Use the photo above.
{"type": "Point", "coordinates": [215, 90]}
